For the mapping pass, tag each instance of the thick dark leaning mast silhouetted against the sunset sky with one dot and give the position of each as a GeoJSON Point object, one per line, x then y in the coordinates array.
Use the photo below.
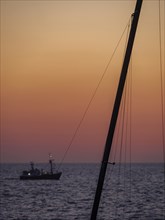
{"type": "Point", "coordinates": [116, 109]}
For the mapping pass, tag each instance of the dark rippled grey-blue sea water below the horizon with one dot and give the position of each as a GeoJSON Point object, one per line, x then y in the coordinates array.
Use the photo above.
{"type": "Point", "coordinates": [72, 197]}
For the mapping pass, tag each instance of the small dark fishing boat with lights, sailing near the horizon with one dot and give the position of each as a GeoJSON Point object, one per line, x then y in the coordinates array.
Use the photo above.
{"type": "Point", "coordinates": [36, 174]}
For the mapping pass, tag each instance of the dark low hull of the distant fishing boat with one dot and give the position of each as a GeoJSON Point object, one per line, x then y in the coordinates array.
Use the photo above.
{"type": "Point", "coordinates": [55, 176]}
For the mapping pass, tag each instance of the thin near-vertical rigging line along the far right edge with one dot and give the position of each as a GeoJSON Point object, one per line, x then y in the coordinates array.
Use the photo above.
{"type": "Point", "coordinates": [162, 96]}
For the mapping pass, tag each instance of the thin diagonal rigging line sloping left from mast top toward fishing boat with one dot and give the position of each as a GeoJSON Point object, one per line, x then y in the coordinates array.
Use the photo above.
{"type": "Point", "coordinates": [92, 97]}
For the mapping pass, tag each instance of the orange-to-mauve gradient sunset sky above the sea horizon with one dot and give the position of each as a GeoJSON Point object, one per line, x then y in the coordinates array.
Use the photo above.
{"type": "Point", "coordinates": [53, 54]}
